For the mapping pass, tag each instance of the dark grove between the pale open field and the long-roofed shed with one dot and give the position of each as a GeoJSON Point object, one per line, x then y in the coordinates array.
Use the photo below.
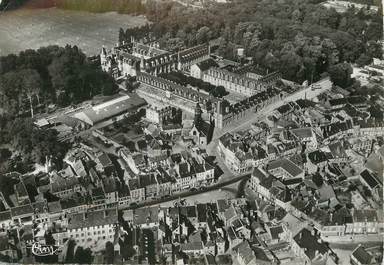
{"type": "Point", "coordinates": [53, 74]}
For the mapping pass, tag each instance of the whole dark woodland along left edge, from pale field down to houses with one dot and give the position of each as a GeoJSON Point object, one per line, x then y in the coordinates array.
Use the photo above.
{"type": "Point", "coordinates": [30, 82]}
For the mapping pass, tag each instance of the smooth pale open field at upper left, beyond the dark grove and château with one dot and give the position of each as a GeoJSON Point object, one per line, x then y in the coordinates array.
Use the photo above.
{"type": "Point", "coordinates": [32, 28]}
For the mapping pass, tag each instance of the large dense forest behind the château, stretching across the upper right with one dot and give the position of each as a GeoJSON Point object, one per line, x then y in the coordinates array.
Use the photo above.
{"type": "Point", "coordinates": [300, 38]}
